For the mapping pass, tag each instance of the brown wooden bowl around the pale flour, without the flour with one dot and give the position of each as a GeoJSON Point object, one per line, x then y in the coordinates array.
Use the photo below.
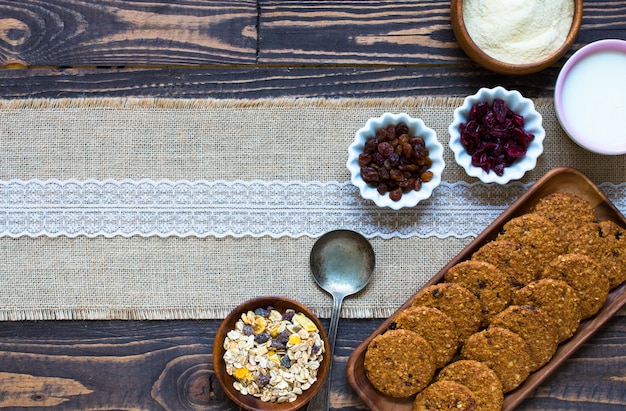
{"type": "Point", "coordinates": [490, 63]}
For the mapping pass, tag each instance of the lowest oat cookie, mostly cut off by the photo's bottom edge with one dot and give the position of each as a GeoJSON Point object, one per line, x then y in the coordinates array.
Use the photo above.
{"type": "Point", "coordinates": [445, 395]}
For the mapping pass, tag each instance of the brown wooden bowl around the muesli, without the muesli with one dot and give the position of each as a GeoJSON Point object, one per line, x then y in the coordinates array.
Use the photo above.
{"type": "Point", "coordinates": [250, 402]}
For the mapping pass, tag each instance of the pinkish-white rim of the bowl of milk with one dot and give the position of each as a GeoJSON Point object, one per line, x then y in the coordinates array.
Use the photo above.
{"type": "Point", "coordinates": [577, 57]}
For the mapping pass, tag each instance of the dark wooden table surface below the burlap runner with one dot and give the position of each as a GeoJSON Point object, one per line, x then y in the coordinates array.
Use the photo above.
{"type": "Point", "coordinates": [167, 366]}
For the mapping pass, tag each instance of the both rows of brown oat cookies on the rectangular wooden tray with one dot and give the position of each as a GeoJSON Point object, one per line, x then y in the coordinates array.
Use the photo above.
{"type": "Point", "coordinates": [527, 290]}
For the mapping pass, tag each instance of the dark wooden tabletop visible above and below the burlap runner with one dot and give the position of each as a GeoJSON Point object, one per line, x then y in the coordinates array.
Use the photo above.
{"type": "Point", "coordinates": [244, 49]}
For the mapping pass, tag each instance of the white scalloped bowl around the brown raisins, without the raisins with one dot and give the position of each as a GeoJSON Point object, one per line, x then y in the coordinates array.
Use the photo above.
{"type": "Point", "coordinates": [416, 128]}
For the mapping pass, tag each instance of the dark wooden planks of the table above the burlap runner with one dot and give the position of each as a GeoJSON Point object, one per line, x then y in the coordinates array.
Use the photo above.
{"type": "Point", "coordinates": [235, 49]}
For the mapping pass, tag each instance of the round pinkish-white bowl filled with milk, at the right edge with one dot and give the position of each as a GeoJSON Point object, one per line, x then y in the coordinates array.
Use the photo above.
{"type": "Point", "coordinates": [589, 97]}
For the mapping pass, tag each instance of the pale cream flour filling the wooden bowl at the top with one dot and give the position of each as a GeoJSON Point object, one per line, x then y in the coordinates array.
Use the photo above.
{"type": "Point", "coordinates": [518, 31]}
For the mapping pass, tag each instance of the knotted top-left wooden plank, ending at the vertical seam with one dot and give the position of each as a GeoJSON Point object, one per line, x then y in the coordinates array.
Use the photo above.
{"type": "Point", "coordinates": [70, 33]}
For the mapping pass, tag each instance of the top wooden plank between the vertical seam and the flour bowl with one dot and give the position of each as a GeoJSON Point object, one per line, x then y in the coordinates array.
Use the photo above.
{"type": "Point", "coordinates": [357, 32]}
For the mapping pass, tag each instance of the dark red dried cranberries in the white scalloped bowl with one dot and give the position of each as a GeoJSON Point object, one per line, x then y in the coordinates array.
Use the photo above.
{"type": "Point", "coordinates": [494, 136]}
